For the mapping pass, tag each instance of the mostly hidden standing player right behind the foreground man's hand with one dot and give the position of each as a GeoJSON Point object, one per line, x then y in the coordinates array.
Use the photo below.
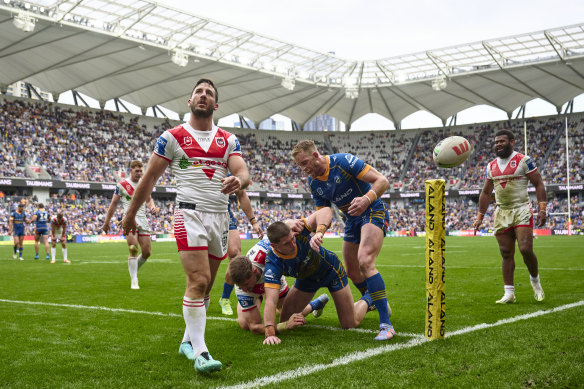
{"type": "Point", "coordinates": [234, 245]}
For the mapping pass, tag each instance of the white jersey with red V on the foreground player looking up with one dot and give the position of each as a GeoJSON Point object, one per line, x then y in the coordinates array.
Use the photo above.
{"type": "Point", "coordinates": [198, 160]}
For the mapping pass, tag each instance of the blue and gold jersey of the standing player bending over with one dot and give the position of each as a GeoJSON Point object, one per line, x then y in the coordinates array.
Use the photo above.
{"type": "Point", "coordinates": [341, 182]}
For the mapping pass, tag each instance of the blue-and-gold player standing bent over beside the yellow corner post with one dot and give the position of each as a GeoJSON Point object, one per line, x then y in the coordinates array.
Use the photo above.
{"type": "Point", "coordinates": [354, 187]}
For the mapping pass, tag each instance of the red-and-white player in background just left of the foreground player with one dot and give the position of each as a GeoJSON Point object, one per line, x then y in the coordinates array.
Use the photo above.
{"type": "Point", "coordinates": [124, 191]}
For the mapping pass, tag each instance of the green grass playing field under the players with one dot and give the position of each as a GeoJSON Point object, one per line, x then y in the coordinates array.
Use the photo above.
{"type": "Point", "coordinates": [66, 347]}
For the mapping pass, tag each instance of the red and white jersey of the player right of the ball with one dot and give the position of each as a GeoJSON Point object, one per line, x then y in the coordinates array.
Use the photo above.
{"type": "Point", "coordinates": [510, 180]}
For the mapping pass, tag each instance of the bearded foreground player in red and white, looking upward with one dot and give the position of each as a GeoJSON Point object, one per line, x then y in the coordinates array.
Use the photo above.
{"type": "Point", "coordinates": [200, 155]}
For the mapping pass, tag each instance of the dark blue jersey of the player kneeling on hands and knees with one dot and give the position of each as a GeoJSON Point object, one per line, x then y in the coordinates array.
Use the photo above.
{"type": "Point", "coordinates": [305, 263]}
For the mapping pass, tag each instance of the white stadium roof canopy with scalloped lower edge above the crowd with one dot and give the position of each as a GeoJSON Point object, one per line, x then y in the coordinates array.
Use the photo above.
{"type": "Point", "coordinates": [149, 54]}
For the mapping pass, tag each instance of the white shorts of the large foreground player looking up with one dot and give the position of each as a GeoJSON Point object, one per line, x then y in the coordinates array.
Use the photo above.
{"type": "Point", "coordinates": [196, 230]}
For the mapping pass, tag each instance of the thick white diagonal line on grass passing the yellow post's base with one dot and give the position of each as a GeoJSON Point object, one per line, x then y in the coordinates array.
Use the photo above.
{"type": "Point", "coordinates": [361, 355]}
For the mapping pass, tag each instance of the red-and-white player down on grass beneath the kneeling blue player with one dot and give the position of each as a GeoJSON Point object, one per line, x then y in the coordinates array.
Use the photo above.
{"type": "Point", "coordinates": [247, 272]}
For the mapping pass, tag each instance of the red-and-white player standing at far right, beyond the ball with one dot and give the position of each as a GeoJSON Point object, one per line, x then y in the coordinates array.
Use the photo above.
{"type": "Point", "coordinates": [509, 175]}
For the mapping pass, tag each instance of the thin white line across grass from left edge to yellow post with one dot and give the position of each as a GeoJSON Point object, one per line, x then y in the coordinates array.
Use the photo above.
{"type": "Point", "coordinates": [123, 310]}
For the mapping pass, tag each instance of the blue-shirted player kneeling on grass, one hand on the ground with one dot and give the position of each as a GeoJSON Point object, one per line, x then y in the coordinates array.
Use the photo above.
{"type": "Point", "coordinates": [294, 253]}
